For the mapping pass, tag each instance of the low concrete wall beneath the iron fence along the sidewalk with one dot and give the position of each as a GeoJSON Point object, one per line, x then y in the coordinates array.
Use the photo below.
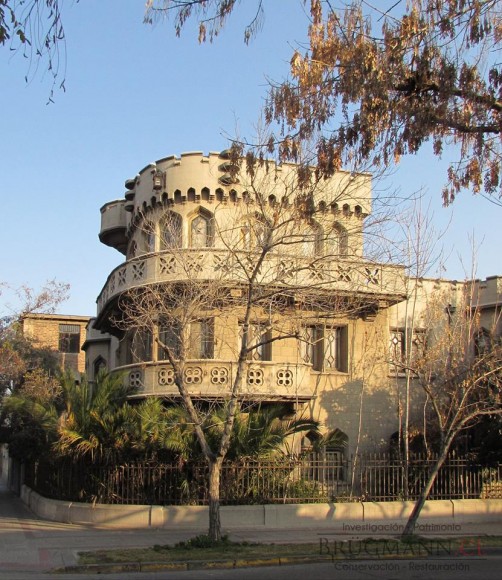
{"type": "Point", "coordinates": [439, 515]}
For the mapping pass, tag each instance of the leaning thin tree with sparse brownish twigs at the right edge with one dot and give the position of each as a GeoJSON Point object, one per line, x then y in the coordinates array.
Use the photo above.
{"type": "Point", "coordinates": [460, 372]}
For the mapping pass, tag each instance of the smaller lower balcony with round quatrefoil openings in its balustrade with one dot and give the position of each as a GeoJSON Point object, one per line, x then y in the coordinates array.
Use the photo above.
{"type": "Point", "coordinates": [213, 379]}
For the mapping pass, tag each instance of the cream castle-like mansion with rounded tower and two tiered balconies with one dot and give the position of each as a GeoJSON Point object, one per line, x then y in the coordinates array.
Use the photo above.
{"type": "Point", "coordinates": [240, 281]}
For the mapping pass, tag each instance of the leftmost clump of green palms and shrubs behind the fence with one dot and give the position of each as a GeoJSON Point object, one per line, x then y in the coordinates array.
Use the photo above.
{"type": "Point", "coordinates": [93, 420]}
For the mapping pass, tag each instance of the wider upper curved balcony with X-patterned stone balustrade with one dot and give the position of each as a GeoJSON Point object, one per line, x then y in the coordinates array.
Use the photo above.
{"type": "Point", "coordinates": [342, 275]}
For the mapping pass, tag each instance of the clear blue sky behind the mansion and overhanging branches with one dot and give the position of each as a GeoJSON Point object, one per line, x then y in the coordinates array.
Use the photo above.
{"type": "Point", "coordinates": [136, 94]}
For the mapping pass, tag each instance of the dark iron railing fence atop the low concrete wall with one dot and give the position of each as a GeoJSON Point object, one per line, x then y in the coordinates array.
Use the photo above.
{"type": "Point", "coordinates": [312, 479]}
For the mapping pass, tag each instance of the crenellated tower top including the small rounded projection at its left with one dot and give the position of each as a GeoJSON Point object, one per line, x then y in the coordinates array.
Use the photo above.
{"type": "Point", "coordinates": [215, 180]}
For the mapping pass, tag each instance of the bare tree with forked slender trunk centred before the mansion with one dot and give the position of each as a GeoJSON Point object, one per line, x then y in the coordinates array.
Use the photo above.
{"type": "Point", "coordinates": [270, 264]}
